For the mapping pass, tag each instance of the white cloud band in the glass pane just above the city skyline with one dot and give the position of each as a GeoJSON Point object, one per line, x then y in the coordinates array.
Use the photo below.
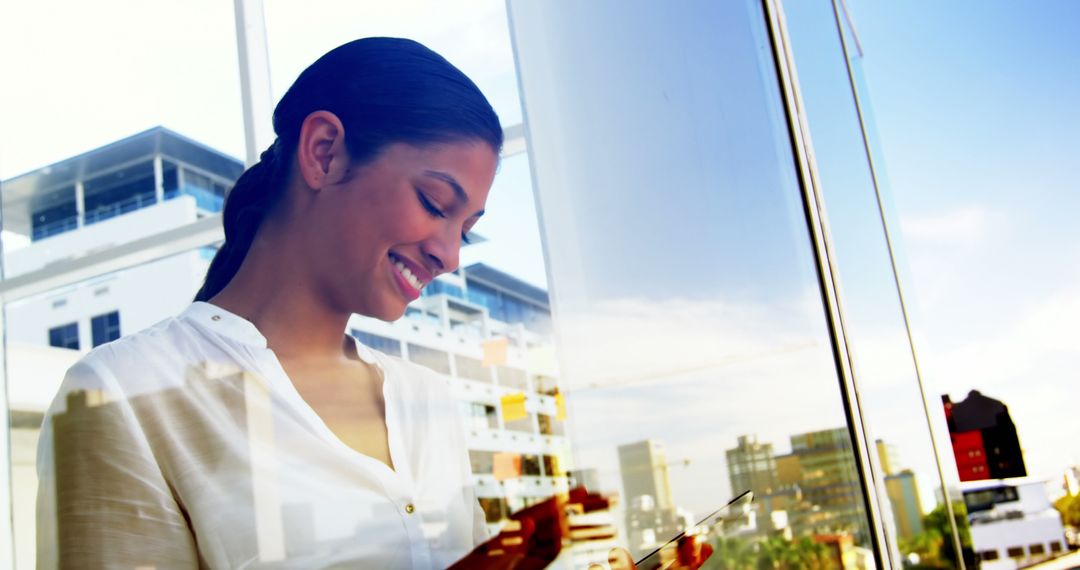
{"type": "Point", "coordinates": [695, 375]}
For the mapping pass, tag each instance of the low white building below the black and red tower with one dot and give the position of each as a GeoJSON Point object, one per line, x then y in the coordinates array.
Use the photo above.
{"type": "Point", "coordinates": [1014, 523]}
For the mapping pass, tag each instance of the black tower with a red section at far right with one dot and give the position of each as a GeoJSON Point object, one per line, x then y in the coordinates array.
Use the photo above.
{"type": "Point", "coordinates": [985, 444]}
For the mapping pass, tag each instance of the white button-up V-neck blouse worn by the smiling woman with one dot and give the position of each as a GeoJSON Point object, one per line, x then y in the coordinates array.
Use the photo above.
{"type": "Point", "coordinates": [186, 445]}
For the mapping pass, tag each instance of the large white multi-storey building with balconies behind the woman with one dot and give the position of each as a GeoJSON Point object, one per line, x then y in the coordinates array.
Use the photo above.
{"type": "Point", "coordinates": [148, 184]}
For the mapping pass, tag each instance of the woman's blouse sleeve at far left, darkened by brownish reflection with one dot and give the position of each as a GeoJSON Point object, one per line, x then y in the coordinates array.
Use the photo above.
{"type": "Point", "coordinates": [102, 498]}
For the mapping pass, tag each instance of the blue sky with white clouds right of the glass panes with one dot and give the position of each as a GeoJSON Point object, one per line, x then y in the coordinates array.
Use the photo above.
{"type": "Point", "coordinates": [976, 107]}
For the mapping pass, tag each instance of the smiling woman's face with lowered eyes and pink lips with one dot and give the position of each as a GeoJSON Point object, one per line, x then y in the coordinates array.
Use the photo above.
{"type": "Point", "coordinates": [391, 226]}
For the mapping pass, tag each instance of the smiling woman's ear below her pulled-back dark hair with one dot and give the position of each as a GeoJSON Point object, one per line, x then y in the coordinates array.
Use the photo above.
{"type": "Point", "coordinates": [321, 154]}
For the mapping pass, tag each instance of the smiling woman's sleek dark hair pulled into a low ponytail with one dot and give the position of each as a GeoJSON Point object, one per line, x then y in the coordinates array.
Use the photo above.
{"type": "Point", "coordinates": [385, 91]}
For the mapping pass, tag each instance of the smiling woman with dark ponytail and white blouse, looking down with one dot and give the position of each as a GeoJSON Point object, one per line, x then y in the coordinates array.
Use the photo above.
{"type": "Point", "coordinates": [249, 429]}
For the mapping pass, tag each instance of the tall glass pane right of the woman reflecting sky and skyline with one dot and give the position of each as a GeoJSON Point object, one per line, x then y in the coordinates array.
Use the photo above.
{"type": "Point", "coordinates": [688, 306]}
